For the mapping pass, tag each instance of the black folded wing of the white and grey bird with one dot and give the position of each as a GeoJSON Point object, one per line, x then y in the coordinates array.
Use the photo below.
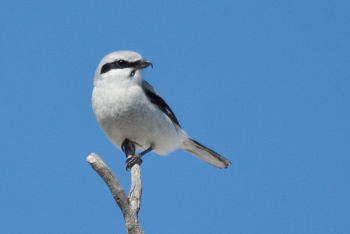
{"type": "Point", "coordinates": [156, 100]}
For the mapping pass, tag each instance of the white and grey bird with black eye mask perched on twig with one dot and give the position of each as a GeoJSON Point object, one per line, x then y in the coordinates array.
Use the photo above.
{"type": "Point", "coordinates": [135, 117]}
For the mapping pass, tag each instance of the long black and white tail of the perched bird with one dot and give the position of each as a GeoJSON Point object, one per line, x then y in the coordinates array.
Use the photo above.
{"type": "Point", "coordinates": [204, 153]}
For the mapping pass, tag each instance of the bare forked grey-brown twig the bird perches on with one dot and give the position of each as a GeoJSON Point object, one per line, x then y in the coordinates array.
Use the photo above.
{"type": "Point", "coordinates": [129, 206]}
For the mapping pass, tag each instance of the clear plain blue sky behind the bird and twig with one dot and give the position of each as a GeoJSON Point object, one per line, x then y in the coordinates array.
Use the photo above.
{"type": "Point", "coordinates": [264, 83]}
